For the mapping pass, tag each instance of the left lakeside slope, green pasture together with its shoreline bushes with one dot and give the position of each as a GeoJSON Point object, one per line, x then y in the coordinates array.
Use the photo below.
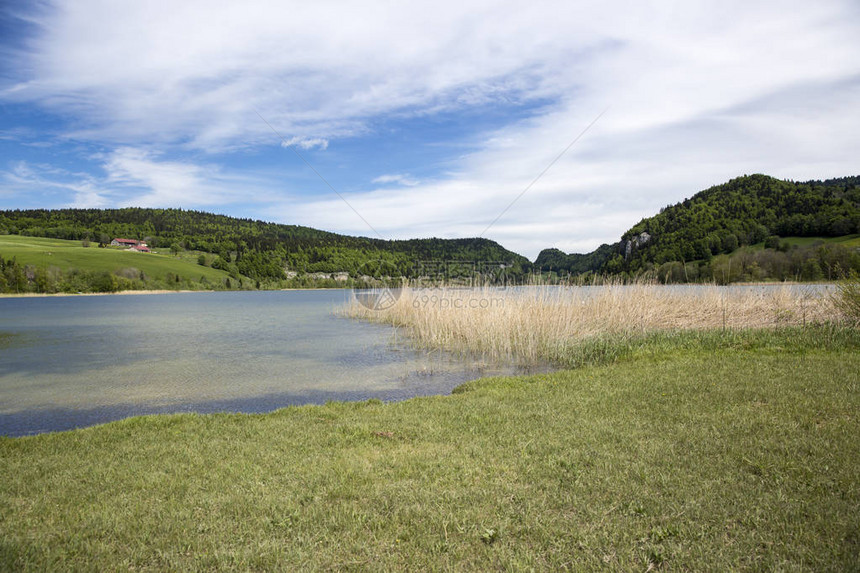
{"type": "Point", "coordinates": [56, 262]}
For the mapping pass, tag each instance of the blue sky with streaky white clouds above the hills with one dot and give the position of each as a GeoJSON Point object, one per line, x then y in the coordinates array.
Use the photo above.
{"type": "Point", "coordinates": [535, 124]}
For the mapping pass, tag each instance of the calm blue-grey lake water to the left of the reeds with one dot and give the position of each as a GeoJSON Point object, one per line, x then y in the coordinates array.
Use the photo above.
{"type": "Point", "coordinates": [68, 362]}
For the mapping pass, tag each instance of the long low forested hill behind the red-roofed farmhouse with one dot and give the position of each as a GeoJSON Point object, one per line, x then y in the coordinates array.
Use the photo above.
{"type": "Point", "coordinates": [254, 249]}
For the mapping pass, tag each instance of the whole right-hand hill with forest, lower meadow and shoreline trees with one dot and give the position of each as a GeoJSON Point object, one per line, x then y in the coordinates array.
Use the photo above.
{"type": "Point", "coordinates": [810, 229]}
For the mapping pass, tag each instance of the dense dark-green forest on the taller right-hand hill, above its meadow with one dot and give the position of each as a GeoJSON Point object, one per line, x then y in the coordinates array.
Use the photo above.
{"type": "Point", "coordinates": [744, 211]}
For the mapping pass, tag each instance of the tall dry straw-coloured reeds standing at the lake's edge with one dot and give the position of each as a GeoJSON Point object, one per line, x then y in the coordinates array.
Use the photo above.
{"type": "Point", "coordinates": [529, 325]}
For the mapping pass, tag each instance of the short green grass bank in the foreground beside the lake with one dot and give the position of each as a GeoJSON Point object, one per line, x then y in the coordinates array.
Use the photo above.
{"type": "Point", "coordinates": [734, 451]}
